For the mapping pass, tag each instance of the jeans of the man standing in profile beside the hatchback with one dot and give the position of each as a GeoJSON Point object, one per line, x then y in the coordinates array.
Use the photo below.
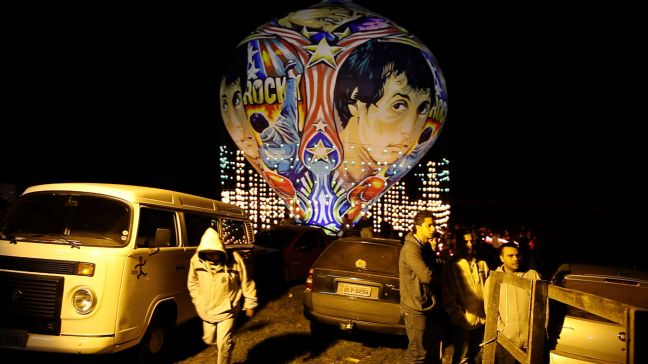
{"type": "Point", "coordinates": [424, 333]}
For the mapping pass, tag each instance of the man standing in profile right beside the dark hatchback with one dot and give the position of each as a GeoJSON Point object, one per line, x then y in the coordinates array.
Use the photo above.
{"type": "Point", "coordinates": [419, 288]}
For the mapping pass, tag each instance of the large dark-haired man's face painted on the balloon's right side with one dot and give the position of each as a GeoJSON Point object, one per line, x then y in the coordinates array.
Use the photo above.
{"type": "Point", "coordinates": [393, 125]}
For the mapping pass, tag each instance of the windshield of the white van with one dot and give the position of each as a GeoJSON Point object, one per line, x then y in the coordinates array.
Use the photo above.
{"type": "Point", "coordinates": [68, 218]}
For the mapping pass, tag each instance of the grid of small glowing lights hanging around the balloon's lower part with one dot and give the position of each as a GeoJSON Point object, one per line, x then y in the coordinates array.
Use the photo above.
{"type": "Point", "coordinates": [242, 186]}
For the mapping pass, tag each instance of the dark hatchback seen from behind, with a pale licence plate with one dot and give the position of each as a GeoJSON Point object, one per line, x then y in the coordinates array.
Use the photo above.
{"type": "Point", "coordinates": [354, 284]}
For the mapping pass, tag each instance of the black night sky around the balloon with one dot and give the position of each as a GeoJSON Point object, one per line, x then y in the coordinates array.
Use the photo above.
{"type": "Point", "coordinates": [545, 104]}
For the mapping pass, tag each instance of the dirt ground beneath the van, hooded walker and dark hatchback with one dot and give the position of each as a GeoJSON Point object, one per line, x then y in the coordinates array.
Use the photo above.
{"type": "Point", "coordinates": [278, 333]}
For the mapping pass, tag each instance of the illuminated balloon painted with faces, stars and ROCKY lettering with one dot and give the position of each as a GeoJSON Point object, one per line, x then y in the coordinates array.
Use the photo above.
{"type": "Point", "coordinates": [332, 105]}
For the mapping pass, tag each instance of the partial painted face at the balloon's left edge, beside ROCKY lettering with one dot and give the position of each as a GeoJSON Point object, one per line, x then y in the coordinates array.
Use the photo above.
{"type": "Point", "coordinates": [236, 120]}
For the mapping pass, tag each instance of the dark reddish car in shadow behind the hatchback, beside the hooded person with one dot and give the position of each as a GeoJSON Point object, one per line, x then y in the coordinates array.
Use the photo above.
{"type": "Point", "coordinates": [284, 253]}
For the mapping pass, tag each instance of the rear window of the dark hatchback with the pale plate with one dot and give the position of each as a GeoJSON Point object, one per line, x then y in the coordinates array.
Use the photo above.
{"type": "Point", "coordinates": [363, 256]}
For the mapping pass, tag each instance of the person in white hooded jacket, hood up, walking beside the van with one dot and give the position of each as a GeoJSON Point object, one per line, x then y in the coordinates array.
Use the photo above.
{"type": "Point", "coordinates": [218, 283]}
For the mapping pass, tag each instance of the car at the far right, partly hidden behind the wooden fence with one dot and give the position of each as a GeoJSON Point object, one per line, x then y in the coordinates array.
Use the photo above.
{"type": "Point", "coordinates": [577, 336]}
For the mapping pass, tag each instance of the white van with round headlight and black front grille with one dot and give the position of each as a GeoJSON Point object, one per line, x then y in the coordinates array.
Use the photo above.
{"type": "Point", "coordinates": [97, 268]}
